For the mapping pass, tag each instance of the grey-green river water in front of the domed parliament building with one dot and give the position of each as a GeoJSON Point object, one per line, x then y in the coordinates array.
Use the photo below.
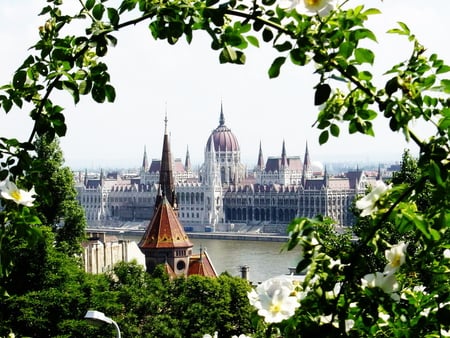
{"type": "Point", "coordinates": [264, 259]}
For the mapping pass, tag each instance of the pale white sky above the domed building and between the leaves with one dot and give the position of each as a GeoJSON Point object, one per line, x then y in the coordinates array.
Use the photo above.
{"type": "Point", "coordinates": [188, 83]}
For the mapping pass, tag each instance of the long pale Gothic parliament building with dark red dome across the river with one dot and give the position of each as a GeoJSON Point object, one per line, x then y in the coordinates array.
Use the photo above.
{"type": "Point", "coordinates": [224, 195]}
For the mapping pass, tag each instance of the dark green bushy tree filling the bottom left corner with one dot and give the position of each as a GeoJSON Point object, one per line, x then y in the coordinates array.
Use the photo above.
{"type": "Point", "coordinates": [47, 290]}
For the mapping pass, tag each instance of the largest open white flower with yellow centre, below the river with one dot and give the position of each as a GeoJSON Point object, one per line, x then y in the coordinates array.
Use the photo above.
{"type": "Point", "coordinates": [275, 299]}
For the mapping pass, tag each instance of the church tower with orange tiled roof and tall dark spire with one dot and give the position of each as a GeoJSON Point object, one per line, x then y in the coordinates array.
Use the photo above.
{"type": "Point", "coordinates": [164, 240]}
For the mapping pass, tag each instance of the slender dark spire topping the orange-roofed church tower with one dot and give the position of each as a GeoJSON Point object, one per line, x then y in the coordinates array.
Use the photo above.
{"type": "Point", "coordinates": [166, 181]}
